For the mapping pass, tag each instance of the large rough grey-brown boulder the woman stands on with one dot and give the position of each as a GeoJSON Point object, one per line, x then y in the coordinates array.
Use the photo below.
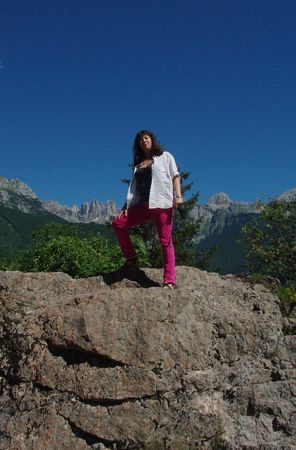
{"type": "Point", "coordinates": [120, 363]}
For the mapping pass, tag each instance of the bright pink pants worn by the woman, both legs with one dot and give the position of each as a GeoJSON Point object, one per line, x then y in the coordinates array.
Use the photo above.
{"type": "Point", "coordinates": [163, 218]}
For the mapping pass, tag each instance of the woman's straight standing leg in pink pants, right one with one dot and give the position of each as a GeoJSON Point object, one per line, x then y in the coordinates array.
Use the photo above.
{"type": "Point", "coordinates": [163, 219]}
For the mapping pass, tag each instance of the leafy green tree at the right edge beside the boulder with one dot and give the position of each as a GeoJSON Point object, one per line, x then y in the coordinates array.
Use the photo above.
{"type": "Point", "coordinates": [271, 241]}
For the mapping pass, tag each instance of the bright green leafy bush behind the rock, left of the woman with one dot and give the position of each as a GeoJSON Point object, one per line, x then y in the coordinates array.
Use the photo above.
{"type": "Point", "coordinates": [65, 248]}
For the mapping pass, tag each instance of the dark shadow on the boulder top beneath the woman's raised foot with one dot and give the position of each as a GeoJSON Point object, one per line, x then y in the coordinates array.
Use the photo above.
{"type": "Point", "coordinates": [137, 276]}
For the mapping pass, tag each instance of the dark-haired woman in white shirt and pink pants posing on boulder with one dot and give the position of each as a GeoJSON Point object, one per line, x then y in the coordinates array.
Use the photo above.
{"type": "Point", "coordinates": [153, 192]}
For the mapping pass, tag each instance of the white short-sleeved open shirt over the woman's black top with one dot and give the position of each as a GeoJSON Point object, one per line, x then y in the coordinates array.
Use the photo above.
{"type": "Point", "coordinates": [164, 170]}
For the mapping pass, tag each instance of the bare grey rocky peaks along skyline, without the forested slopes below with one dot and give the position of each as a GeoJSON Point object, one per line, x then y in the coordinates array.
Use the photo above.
{"type": "Point", "coordinates": [215, 213]}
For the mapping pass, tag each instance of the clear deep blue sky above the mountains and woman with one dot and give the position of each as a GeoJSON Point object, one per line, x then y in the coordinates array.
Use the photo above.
{"type": "Point", "coordinates": [215, 80]}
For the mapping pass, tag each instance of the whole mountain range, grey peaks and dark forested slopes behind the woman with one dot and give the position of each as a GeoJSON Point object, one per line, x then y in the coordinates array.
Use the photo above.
{"type": "Point", "coordinates": [221, 221]}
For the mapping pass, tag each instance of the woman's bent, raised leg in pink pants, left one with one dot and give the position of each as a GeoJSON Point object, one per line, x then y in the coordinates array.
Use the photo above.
{"type": "Point", "coordinates": [136, 215]}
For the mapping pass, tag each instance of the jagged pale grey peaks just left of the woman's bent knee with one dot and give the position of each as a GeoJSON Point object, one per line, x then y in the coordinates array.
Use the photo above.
{"type": "Point", "coordinates": [94, 211]}
